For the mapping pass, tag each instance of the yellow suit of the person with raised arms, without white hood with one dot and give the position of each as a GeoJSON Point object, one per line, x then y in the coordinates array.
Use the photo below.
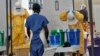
{"type": "Point", "coordinates": [78, 25]}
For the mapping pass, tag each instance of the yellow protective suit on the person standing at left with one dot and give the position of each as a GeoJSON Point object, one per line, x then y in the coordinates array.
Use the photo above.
{"type": "Point", "coordinates": [18, 31]}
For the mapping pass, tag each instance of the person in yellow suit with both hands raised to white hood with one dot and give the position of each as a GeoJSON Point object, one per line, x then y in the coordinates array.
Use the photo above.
{"type": "Point", "coordinates": [76, 23]}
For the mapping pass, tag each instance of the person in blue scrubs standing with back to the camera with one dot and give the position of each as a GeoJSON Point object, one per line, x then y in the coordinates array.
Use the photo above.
{"type": "Point", "coordinates": [36, 23]}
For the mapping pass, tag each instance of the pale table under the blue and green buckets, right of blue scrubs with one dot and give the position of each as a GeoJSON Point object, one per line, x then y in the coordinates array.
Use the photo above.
{"type": "Point", "coordinates": [51, 50]}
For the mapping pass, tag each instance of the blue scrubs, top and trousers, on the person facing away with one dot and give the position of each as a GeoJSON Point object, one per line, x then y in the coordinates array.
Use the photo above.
{"type": "Point", "coordinates": [36, 23]}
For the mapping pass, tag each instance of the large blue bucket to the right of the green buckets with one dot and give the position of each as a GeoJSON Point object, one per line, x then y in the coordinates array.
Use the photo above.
{"type": "Point", "coordinates": [73, 36]}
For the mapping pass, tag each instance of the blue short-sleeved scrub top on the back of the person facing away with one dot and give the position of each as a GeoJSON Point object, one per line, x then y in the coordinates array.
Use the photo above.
{"type": "Point", "coordinates": [36, 22]}
